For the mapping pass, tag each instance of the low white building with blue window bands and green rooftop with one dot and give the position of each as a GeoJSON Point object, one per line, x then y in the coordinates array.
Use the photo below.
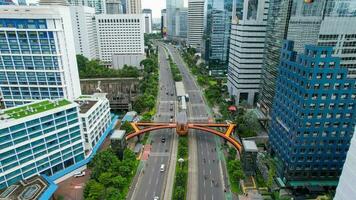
{"type": "Point", "coordinates": [42, 137]}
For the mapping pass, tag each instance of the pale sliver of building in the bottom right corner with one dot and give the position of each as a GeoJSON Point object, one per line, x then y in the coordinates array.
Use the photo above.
{"type": "Point", "coordinates": [345, 189]}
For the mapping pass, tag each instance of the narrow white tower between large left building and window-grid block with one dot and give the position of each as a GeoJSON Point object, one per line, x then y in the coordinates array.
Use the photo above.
{"type": "Point", "coordinates": [84, 31]}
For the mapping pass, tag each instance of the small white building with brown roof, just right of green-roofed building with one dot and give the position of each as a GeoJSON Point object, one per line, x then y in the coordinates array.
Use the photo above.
{"type": "Point", "coordinates": [94, 112]}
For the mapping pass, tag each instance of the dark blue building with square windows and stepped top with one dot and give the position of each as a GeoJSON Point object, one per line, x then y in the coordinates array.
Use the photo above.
{"type": "Point", "coordinates": [313, 116]}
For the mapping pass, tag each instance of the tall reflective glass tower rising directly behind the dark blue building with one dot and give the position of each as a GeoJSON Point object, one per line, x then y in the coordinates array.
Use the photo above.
{"type": "Point", "coordinates": [329, 23]}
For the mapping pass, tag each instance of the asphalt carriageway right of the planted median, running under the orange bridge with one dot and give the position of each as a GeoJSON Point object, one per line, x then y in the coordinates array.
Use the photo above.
{"type": "Point", "coordinates": [209, 181]}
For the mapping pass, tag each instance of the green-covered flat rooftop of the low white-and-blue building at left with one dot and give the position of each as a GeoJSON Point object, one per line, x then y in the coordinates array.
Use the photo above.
{"type": "Point", "coordinates": [32, 109]}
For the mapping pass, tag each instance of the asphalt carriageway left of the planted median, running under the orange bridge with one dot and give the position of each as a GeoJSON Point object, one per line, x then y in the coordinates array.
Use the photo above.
{"type": "Point", "coordinates": [152, 182]}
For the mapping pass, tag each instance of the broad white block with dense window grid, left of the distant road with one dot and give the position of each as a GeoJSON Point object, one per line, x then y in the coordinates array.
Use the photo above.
{"type": "Point", "coordinates": [120, 39]}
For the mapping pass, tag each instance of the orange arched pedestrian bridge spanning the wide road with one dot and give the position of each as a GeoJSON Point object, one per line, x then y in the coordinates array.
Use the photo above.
{"type": "Point", "coordinates": [182, 127]}
